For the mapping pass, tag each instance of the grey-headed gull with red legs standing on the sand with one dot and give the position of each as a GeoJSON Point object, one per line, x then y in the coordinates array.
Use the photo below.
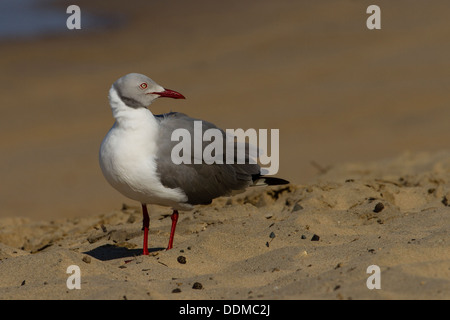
{"type": "Point", "coordinates": [135, 156]}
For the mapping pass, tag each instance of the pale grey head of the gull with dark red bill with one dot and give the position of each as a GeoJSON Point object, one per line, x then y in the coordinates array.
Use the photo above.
{"type": "Point", "coordinates": [138, 91]}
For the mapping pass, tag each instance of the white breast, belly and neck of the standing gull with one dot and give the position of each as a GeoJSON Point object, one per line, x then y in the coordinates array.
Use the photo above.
{"type": "Point", "coordinates": [127, 156]}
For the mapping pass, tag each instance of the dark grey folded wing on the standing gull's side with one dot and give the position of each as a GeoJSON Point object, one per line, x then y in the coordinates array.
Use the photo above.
{"type": "Point", "coordinates": [201, 182]}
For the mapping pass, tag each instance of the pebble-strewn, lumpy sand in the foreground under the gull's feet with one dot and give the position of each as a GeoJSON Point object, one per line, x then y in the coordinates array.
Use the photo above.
{"type": "Point", "coordinates": [293, 242]}
